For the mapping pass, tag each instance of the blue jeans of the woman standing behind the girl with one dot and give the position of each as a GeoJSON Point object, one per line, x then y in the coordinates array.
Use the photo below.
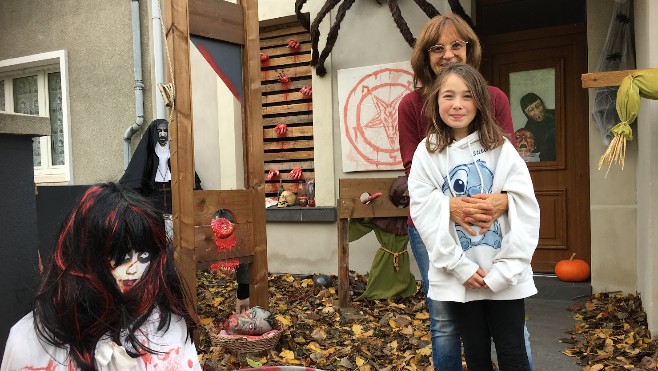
{"type": "Point", "coordinates": [446, 346]}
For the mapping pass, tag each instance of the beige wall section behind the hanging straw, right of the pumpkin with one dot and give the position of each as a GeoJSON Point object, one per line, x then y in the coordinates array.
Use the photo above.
{"type": "Point", "coordinates": [612, 197]}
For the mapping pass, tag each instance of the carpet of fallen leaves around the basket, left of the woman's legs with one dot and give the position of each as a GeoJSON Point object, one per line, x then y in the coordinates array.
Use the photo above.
{"type": "Point", "coordinates": [378, 335]}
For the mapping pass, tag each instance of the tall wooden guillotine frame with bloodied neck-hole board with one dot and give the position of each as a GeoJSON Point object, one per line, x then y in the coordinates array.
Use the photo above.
{"type": "Point", "coordinates": [193, 210]}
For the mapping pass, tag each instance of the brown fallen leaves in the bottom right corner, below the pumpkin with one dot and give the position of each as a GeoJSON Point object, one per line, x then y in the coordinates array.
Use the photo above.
{"type": "Point", "coordinates": [611, 334]}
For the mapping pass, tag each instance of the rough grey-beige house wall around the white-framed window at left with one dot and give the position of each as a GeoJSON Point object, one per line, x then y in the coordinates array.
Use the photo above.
{"type": "Point", "coordinates": [101, 72]}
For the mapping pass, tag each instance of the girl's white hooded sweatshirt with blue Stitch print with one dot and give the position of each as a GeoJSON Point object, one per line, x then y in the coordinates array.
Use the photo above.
{"type": "Point", "coordinates": [464, 168]}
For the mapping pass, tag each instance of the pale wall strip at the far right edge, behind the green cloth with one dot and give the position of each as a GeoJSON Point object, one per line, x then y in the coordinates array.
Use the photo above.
{"type": "Point", "coordinates": [646, 135]}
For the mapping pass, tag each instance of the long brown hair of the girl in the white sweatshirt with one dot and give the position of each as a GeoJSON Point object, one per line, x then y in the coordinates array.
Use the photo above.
{"type": "Point", "coordinates": [439, 134]}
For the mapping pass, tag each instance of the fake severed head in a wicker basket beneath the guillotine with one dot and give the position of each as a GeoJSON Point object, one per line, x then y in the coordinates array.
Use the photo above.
{"type": "Point", "coordinates": [251, 331]}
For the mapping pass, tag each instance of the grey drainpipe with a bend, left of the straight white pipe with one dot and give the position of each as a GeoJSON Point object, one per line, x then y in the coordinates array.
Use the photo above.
{"type": "Point", "coordinates": [139, 83]}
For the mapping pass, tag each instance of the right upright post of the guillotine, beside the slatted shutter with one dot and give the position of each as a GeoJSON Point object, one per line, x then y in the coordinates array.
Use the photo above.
{"type": "Point", "coordinates": [252, 122]}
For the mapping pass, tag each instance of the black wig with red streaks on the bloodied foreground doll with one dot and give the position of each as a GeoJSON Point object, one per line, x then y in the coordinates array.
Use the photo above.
{"type": "Point", "coordinates": [79, 301]}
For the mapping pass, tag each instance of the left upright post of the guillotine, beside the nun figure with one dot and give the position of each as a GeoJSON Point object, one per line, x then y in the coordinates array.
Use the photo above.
{"type": "Point", "coordinates": [182, 144]}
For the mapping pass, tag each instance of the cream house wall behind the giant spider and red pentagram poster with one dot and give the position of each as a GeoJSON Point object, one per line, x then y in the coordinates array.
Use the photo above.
{"type": "Point", "coordinates": [304, 248]}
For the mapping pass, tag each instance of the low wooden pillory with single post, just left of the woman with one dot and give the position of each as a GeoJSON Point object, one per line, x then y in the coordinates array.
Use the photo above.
{"type": "Point", "coordinates": [350, 206]}
